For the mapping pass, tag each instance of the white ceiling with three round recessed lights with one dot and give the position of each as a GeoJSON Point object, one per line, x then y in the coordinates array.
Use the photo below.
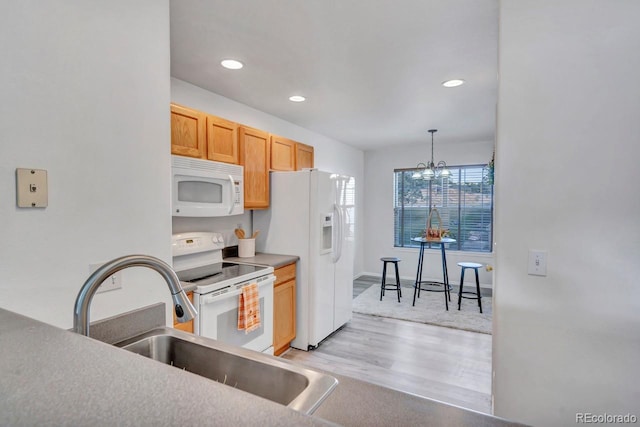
{"type": "Point", "coordinates": [371, 70]}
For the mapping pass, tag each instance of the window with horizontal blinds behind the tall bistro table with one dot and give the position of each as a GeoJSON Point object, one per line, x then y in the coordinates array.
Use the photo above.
{"type": "Point", "coordinates": [464, 201]}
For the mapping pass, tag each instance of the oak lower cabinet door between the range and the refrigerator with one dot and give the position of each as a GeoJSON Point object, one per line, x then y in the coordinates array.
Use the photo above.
{"type": "Point", "coordinates": [284, 319]}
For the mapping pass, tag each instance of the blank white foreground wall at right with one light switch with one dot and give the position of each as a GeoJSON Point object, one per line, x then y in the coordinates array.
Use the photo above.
{"type": "Point", "coordinates": [566, 182]}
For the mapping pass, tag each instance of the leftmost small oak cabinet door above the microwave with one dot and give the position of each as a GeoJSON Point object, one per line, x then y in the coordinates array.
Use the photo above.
{"type": "Point", "coordinates": [188, 129]}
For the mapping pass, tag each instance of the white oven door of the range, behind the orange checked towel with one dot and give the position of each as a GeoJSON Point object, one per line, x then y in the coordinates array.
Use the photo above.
{"type": "Point", "coordinates": [218, 316]}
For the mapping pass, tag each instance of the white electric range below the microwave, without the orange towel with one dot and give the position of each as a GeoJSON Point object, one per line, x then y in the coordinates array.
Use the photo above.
{"type": "Point", "coordinates": [197, 260]}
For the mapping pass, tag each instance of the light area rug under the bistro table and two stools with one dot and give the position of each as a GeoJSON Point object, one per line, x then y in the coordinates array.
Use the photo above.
{"type": "Point", "coordinates": [429, 309]}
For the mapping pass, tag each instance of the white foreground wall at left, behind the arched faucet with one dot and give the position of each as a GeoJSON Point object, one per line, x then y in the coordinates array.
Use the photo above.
{"type": "Point", "coordinates": [85, 95]}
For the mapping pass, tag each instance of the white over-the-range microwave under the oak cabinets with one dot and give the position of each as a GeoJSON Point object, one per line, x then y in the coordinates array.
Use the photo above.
{"type": "Point", "coordinates": [204, 188]}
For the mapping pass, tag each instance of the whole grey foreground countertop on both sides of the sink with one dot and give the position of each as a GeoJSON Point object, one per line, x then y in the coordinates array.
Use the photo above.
{"type": "Point", "coordinates": [55, 377]}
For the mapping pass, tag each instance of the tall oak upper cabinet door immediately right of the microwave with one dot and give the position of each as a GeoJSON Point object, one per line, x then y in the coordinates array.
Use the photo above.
{"type": "Point", "coordinates": [254, 156]}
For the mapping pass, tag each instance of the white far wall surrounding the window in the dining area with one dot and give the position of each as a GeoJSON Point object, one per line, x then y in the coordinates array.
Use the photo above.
{"type": "Point", "coordinates": [378, 240]}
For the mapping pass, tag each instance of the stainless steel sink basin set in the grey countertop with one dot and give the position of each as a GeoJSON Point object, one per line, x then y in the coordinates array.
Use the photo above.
{"type": "Point", "coordinates": [262, 375]}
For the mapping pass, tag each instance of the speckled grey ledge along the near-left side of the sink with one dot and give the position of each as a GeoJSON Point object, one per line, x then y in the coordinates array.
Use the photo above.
{"type": "Point", "coordinates": [53, 377]}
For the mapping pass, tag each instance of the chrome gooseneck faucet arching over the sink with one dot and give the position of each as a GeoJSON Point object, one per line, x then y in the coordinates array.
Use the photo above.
{"type": "Point", "coordinates": [183, 308]}
